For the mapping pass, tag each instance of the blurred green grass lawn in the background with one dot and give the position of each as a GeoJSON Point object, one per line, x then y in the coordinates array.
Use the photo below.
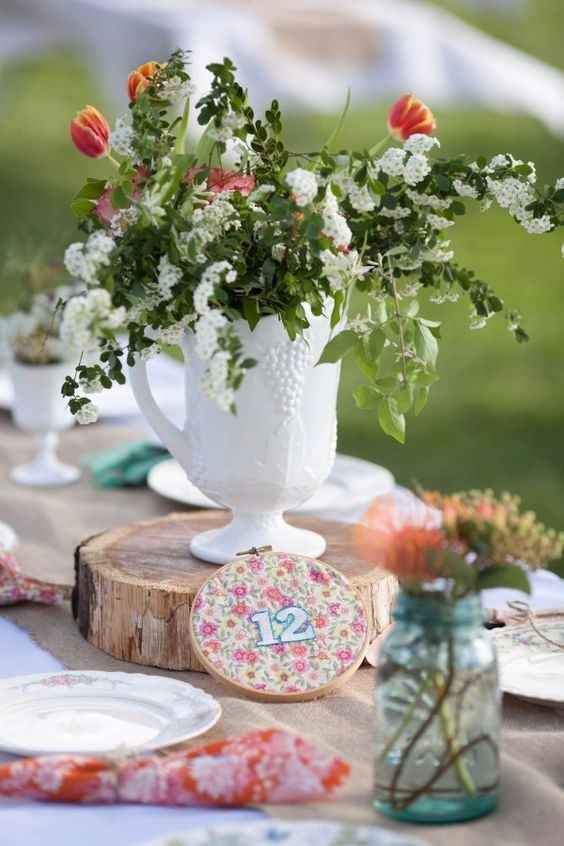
{"type": "Point", "coordinates": [496, 418]}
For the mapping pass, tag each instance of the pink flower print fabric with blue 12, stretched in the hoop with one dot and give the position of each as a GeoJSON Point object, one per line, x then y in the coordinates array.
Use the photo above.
{"type": "Point", "coordinates": [279, 625]}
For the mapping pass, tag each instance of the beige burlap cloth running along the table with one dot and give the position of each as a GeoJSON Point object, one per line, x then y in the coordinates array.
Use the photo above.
{"type": "Point", "coordinates": [50, 524]}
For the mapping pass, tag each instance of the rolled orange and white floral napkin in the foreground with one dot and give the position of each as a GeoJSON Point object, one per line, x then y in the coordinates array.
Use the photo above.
{"type": "Point", "coordinates": [261, 767]}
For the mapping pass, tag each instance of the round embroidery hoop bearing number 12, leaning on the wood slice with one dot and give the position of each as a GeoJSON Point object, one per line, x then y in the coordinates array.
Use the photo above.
{"type": "Point", "coordinates": [322, 662]}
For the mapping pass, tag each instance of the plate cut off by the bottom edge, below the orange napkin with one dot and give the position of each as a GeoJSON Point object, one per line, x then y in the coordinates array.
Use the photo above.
{"type": "Point", "coordinates": [307, 833]}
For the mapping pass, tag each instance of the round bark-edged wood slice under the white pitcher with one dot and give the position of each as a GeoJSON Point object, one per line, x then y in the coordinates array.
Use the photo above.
{"type": "Point", "coordinates": [135, 586]}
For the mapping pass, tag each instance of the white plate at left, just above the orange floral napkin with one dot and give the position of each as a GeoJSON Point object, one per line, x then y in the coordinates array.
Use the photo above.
{"type": "Point", "coordinates": [93, 712]}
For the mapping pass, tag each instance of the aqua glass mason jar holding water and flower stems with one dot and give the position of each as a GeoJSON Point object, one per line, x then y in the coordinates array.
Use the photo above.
{"type": "Point", "coordinates": [438, 713]}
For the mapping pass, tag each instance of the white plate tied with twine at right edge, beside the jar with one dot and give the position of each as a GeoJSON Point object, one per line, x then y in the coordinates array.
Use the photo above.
{"type": "Point", "coordinates": [531, 668]}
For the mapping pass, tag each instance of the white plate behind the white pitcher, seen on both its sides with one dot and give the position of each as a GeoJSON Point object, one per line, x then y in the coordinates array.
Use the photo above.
{"type": "Point", "coordinates": [352, 483]}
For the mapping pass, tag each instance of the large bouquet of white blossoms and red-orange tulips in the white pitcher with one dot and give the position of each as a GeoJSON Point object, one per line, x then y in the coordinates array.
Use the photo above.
{"type": "Point", "coordinates": [193, 238]}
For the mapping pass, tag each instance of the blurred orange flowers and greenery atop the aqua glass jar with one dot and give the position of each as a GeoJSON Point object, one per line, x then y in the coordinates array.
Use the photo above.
{"type": "Point", "coordinates": [459, 543]}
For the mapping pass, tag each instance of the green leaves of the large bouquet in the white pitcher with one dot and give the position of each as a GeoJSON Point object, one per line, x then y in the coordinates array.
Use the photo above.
{"type": "Point", "coordinates": [405, 345]}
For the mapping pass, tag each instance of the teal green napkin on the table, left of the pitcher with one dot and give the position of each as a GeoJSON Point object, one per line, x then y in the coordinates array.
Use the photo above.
{"type": "Point", "coordinates": [124, 466]}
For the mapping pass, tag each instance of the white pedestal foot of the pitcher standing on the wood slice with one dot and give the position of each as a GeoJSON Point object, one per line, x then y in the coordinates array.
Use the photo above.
{"type": "Point", "coordinates": [219, 546]}
